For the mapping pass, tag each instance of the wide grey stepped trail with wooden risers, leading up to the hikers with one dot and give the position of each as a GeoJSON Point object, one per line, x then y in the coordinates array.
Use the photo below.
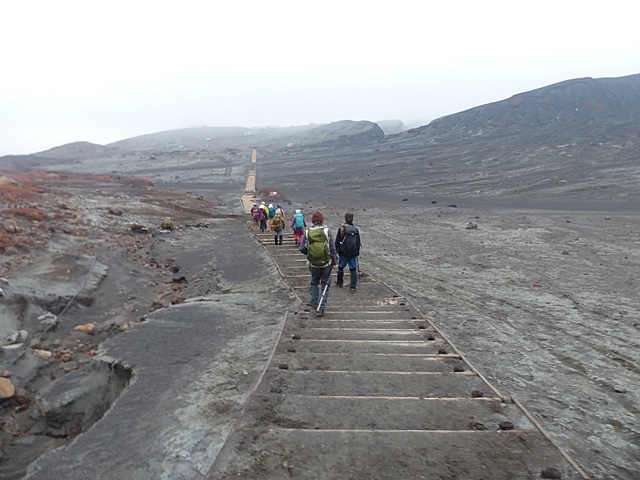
{"type": "Point", "coordinates": [375, 390]}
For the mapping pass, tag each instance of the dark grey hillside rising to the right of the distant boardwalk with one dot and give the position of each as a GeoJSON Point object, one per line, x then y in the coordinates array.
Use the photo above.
{"type": "Point", "coordinates": [578, 140]}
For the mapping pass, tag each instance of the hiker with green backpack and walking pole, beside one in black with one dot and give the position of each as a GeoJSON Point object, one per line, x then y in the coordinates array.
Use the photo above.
{"type": "Point", "coordinates": [318, 244]}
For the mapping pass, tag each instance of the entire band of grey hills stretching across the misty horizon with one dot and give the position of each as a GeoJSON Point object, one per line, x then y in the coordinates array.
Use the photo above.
{"type": "Point", "coordinates": [578, 137]}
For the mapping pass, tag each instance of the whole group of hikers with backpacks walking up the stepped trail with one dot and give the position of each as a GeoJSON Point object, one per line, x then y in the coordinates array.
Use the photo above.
{"type": "Point", "coordinates": [325, 251]}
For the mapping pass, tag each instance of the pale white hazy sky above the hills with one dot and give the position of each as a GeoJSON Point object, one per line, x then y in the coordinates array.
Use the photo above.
{"type": "Point", "coordinates": [105, 71]}
